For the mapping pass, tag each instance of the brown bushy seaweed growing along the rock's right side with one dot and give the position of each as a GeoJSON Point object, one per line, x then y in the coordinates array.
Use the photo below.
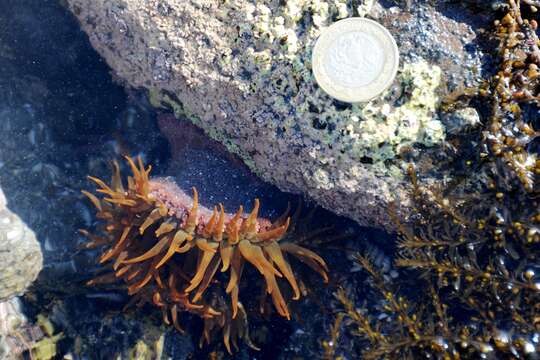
{"type": "Point", "coordinates": [473, 244]}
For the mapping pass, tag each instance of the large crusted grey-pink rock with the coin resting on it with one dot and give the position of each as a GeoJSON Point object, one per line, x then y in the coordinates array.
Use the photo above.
{"type": "Point", "coordinates": [241, 70]}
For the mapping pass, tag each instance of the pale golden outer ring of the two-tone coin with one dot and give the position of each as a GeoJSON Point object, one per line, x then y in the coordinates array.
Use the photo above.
{"type": "Point", "coordinates": [361, 93]}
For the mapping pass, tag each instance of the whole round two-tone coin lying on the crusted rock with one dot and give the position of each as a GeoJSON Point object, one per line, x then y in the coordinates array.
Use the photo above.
{"type": "Point", "coordinates": [355, 60]}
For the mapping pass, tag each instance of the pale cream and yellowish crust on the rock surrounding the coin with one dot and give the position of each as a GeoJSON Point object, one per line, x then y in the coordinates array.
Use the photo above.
{"type": "Point", "coordinates": [282, 66]}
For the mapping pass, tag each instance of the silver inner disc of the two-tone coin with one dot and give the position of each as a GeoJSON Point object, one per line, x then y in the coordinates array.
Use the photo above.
{"type": "Point", "coordinates": [354, 59]}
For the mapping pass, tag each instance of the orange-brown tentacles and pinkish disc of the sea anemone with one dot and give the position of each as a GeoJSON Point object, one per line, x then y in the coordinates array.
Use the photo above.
{"type": "Point", "coordinates": [169, 251]}
